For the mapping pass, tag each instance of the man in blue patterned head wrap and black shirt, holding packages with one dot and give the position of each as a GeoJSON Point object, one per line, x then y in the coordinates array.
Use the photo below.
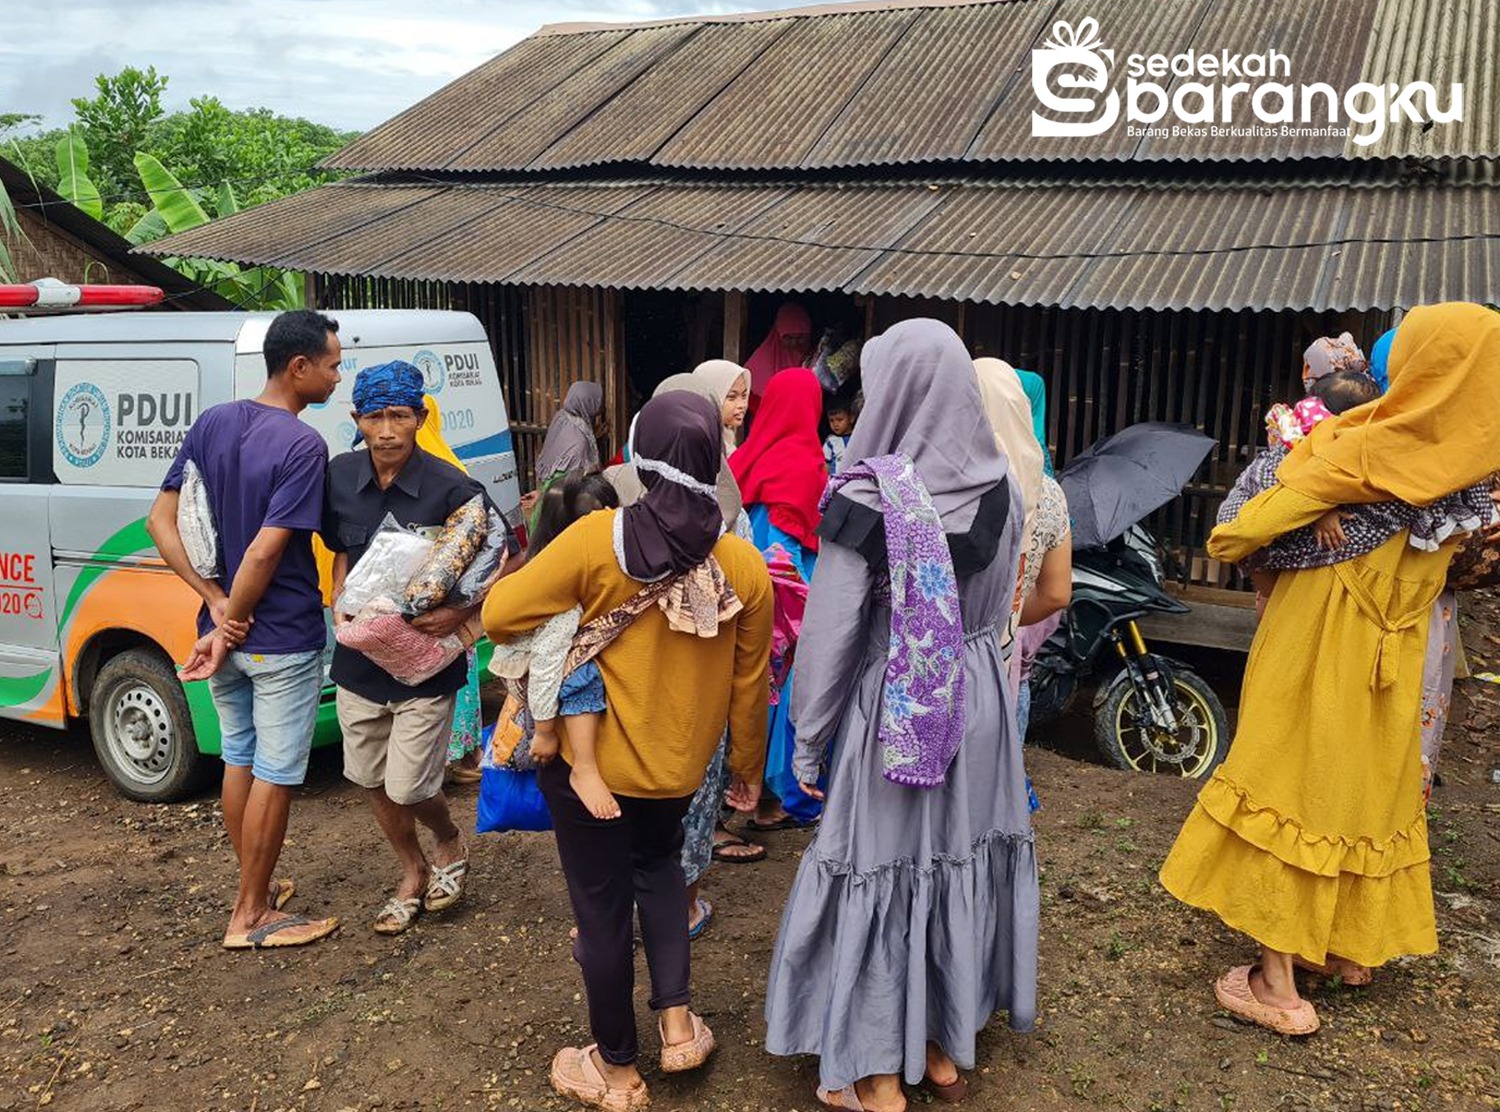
{"type": "Point", "coordinates": [395, 735]}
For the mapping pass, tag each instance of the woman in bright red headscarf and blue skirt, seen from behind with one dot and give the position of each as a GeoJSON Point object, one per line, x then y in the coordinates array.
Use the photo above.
{"type": "Point", "coordinates": [782, 476]}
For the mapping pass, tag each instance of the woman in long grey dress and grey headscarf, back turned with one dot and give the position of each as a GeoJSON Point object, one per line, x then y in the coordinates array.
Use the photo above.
{"type": "Point", "coordinates": [914, 912]}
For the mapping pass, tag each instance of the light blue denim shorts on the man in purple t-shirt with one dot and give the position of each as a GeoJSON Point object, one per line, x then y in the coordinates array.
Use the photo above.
{"type": "Point", "coordinates": [268, 709]}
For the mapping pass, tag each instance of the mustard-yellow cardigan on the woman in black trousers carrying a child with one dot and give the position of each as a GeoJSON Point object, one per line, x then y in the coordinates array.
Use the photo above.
{"type": "Point", "coordinates": [668, 694]}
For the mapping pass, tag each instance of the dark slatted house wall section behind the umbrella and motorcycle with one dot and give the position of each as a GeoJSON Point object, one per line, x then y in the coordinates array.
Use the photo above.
{"type": "Point", "coordinates": [1219, 371]}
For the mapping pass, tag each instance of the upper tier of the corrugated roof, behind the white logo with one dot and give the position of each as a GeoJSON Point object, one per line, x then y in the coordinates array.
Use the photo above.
{"type": "Point", "coordinates": [827, 89]}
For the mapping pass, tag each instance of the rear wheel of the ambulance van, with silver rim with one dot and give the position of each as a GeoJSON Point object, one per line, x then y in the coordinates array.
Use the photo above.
{"type": "Point", "coordinates": [142, 730]}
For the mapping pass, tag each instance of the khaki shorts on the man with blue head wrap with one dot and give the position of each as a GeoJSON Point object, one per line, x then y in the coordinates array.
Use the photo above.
{"type": "Point", "coordinates": [398, 747]}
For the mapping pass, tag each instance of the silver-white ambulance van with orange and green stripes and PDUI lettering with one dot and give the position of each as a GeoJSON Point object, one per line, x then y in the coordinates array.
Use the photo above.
{"type": "Point", "coordinates": [92, 412]}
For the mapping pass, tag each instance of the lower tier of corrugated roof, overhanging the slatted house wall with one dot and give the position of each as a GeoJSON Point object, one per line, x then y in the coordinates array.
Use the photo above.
{"type": "Point", "coordinates": [1124, 247]}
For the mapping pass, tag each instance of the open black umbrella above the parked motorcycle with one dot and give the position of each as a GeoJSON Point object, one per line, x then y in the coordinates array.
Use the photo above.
{"type": "Point", "coordinates": [1121, 479]}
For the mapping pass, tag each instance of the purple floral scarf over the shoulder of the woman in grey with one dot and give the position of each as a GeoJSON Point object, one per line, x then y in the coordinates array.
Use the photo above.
{"type": "Point", "coordinates": [922, 717]}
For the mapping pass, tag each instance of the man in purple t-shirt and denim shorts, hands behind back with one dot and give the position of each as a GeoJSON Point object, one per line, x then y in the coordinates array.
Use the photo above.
{"type": "Point", "coordinates": [262, 630]}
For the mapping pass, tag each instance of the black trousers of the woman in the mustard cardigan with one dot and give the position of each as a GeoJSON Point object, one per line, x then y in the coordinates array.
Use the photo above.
{"type": "Point", "coordinates": [616, 868]}
